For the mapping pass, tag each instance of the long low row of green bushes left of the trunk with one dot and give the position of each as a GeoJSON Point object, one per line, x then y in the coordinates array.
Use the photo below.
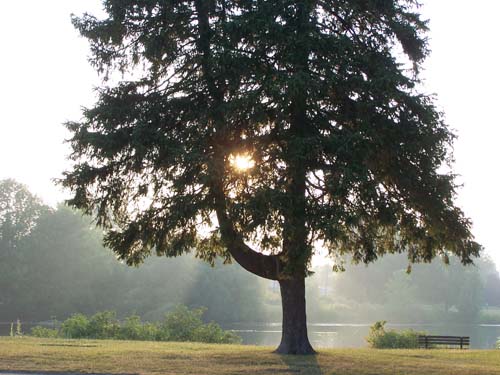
{"type": "Point", "coordinates": [180, 324]}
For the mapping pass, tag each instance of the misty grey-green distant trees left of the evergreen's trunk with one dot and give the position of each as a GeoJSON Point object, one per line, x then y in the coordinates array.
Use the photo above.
{"type": "Point", "coordinates": [52, 263]}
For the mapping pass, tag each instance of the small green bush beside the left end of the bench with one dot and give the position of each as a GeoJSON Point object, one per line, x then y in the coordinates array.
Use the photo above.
{"type": "Point", "coordinates": [380, 338]}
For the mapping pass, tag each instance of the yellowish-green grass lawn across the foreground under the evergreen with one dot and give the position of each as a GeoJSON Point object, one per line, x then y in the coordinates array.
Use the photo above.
{"type": "Point", "coordinates": [134, 357]}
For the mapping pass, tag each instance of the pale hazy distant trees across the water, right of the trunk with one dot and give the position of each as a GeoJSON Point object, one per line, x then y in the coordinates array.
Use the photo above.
{"type": "Point", "coordinates": [435, 292]}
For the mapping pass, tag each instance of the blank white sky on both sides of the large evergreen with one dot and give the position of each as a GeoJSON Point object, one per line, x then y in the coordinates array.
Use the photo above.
{"type": "Point", "coordinates": [46, 79]}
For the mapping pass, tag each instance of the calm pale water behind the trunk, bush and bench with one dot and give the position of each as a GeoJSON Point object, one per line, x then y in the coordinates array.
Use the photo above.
{"type": "Point", "coordinates": [353, 335]}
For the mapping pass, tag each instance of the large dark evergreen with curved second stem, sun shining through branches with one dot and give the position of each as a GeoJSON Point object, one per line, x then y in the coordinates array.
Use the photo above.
{"type": "Point", "coordinates": [320, 95]}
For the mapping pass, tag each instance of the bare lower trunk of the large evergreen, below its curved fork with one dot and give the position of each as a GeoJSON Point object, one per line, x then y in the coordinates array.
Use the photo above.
{"type": "Point", "coordinates": [294, 338]}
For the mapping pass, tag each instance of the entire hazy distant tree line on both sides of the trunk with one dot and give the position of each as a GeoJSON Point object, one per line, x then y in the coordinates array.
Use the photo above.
{"type": "Point", "coordinates": [52, 264]}
